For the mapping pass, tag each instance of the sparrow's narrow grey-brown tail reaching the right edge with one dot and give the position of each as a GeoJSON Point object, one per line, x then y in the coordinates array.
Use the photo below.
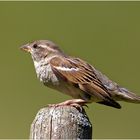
{"type": "Point", "coordinates": [128, 96]}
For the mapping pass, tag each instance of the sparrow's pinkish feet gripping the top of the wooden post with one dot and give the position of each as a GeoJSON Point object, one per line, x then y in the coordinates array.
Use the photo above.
{"type": "Point", "coordinates": [77, 103]}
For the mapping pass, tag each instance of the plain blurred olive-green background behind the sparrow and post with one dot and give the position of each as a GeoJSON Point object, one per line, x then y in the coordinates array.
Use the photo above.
{"type": "Point", "coordinates": [106, 34]}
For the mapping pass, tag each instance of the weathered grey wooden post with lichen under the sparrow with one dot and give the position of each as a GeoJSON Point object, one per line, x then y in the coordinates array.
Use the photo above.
{"type": "Point", "coordinates": [63, 122]}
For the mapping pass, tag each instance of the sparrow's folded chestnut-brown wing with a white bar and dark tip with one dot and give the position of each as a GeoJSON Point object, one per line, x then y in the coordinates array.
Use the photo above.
{"type": "Point", "coordinates": [82, 75]}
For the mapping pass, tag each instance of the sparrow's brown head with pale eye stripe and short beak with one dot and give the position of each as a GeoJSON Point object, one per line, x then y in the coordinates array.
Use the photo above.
{"type": "Point", "coordinates": [41, 49]}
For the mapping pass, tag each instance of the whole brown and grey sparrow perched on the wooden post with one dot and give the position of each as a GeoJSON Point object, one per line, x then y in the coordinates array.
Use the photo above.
{"type": "Point", "coordinates": [75, 77]}
